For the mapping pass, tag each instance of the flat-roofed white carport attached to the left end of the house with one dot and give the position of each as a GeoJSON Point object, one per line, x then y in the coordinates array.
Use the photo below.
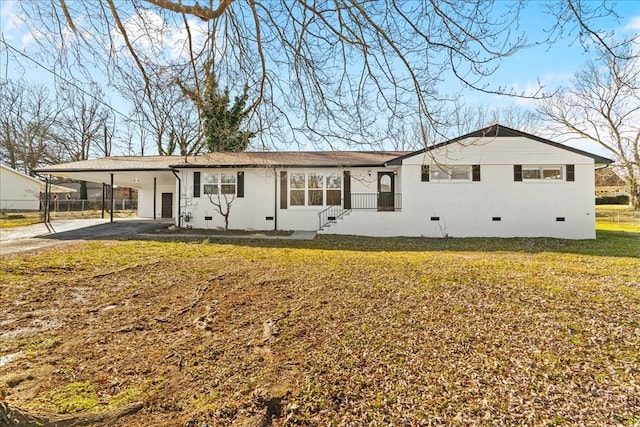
{"type": "Point", "coordinates": [150, 175]}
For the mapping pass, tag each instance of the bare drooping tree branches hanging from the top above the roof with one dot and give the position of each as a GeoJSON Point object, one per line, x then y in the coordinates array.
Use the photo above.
{"type": "Point", "coordinates": [341, 71]}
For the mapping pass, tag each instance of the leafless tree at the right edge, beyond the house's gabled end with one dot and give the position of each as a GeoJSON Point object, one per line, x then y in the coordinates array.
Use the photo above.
{"type": "Point", "coordinates": [603, 105]}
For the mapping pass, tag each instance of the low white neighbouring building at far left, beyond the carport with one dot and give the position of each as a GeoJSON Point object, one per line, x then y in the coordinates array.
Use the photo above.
{"type": "Point", "coordinates": [20, 192]}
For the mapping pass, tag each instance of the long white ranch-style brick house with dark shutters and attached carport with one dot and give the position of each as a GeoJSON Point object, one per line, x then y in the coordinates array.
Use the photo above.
{"type": "Point", "coordinates": [495, 182]}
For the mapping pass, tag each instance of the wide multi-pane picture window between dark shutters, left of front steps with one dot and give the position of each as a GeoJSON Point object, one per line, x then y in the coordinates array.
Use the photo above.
{"type": "Point", "coordinates": [315, 189]}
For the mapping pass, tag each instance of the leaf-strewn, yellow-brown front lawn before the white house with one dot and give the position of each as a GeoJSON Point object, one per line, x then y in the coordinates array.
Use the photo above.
{"type": "Point", "coordinates": [338, 331]}
